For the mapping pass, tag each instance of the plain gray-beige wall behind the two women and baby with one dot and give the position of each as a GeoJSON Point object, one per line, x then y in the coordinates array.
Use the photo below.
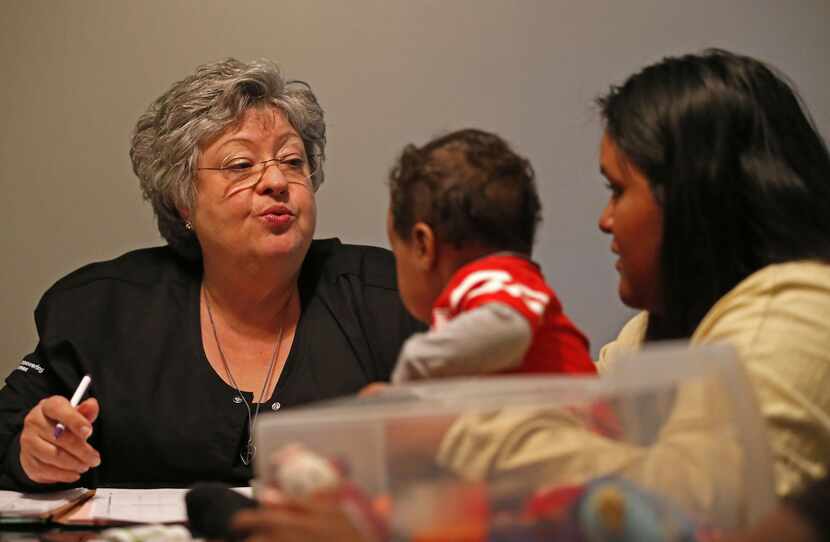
{"type": "Point", "coordinates": [76, 75]}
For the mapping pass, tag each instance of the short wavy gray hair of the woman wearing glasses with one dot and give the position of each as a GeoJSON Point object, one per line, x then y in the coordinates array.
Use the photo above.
{"type": "Point", "coordinates": [165, 143]}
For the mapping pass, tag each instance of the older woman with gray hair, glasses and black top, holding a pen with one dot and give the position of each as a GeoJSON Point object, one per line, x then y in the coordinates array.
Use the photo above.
{"type": "Point", "coordinates": [240, 314]}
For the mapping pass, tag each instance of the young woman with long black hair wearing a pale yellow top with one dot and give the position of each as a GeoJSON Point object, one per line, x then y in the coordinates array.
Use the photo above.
{"type": "Point", "coordinates": [720, 214]}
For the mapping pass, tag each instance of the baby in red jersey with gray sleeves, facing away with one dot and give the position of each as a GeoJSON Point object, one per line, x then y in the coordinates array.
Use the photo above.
{"type": "Point", "coordinates": [462, 217]}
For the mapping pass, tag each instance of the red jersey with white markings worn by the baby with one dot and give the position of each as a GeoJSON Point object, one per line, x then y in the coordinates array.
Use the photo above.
{"type": "Point", "coordinates": [513, 280]}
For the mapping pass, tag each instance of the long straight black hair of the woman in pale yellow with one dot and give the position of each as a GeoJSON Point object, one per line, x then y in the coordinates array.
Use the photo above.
{"type": "Point", "coordinates": [738, 167]}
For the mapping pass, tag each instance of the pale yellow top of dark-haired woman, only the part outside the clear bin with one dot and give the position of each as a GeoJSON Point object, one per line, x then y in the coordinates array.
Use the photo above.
{"type": "Point", "coordinates": [779, 320]}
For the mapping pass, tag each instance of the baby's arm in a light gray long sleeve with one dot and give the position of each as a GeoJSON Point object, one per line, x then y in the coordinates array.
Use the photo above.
{"type": "Point", "coordinates": [491, 337]}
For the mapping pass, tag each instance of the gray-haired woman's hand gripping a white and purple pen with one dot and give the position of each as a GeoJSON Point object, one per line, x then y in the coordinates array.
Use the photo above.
{"type": "Point", "coordinates": [47, 458]}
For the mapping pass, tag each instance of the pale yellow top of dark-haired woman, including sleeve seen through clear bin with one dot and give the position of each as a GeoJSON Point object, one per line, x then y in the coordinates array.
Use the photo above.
{"type": "Point", "coordinates": [779, 321]}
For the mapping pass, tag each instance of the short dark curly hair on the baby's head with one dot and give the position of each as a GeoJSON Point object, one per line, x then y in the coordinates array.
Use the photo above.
{"type": "Point", "coordinates": [469, 187]}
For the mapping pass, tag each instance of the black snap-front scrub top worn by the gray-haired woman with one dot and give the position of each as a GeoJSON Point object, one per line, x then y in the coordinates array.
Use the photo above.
{"type": "Point", "coordinates": [167, 419]}
